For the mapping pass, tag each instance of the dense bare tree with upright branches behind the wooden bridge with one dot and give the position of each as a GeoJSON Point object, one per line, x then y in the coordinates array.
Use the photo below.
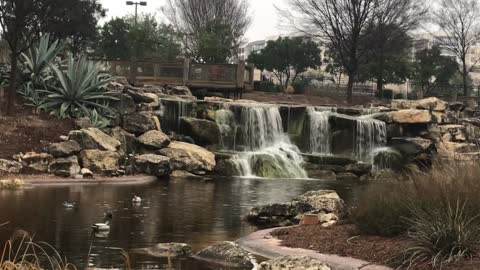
{"type": "Point", "coordinates": [212, 30]}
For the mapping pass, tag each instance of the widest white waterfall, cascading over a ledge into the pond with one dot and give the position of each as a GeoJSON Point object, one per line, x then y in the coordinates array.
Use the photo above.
{"type": "Point", "coordinates": [266, 149]}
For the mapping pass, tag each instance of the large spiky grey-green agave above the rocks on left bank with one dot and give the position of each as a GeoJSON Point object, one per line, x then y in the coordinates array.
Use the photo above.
{"type": "Point", "coordinates": [79, 90]}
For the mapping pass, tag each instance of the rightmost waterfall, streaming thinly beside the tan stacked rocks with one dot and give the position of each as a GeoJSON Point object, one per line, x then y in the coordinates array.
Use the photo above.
{"type": "Point", "coordinates": [369, 135]}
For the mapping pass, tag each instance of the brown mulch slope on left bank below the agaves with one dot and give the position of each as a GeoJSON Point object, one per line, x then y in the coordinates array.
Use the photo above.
{"type": "Point", "coordinates": [26, 132]}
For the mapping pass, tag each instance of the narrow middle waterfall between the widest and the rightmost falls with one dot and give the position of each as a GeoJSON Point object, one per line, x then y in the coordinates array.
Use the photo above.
{"type": "Point", "coordinates": [319, 131]}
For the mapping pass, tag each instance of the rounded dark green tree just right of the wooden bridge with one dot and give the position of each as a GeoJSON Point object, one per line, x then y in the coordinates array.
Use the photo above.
{"type": "Point", "coordinates": [286, 54]}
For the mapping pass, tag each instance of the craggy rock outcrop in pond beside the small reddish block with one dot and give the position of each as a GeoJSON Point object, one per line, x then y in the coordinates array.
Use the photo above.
{"type": "Point", "coordinates": [322, 201]}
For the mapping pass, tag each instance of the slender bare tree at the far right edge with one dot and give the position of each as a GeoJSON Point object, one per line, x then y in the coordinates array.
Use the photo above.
{"type": "Point", "coordinates": [459, 21]}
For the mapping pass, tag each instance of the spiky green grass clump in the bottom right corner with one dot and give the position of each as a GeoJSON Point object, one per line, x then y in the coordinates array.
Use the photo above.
{"type": "Point", "coordinates": [440, 235]}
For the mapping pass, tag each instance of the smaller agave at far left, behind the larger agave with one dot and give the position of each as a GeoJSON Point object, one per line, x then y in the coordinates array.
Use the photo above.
{"type": "Point", "coordinates": [38, 59]}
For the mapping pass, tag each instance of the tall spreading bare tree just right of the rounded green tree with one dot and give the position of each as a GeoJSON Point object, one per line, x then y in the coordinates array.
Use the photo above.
{"type": "Point", "coordinates": [340, 25]}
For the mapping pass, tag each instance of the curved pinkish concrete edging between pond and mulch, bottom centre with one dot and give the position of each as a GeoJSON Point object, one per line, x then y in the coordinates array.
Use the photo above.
{"type": "Point", "coordinates": [262, 243]}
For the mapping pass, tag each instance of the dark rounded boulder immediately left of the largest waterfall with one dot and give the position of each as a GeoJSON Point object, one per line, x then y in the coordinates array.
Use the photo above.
{"type": "Point", "coordinates": [202, 131]}
